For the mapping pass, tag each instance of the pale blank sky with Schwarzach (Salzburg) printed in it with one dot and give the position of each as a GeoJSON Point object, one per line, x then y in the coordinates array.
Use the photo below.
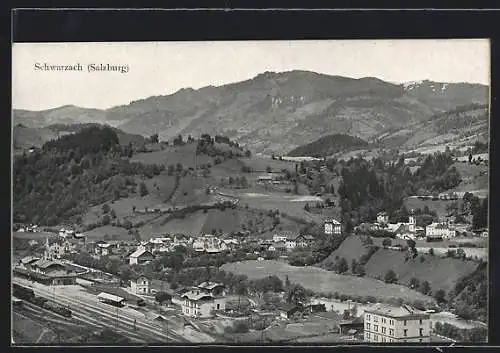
{"type": "Point", "coordinates": [162, 68]}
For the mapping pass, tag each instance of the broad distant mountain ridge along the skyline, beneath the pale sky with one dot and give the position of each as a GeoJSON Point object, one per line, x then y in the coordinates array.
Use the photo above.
{"type": "Point", "coordinates": [277, 111]}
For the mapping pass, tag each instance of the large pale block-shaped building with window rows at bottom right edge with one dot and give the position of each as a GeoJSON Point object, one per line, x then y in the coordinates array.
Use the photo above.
{"type": "Point", "coordinates": [385, 323]}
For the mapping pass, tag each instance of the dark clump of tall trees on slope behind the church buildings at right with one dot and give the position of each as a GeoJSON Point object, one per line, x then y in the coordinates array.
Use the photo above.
{"type": "Point", "coordinates": [371, 186]}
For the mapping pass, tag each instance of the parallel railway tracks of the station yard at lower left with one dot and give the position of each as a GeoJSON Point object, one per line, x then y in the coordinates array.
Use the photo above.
{"type": "Point", "coordinates": [94, 312]}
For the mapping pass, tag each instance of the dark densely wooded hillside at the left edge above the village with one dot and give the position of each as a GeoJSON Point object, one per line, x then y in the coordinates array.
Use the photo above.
{"type": "Point", "coordinates": [60, 181]}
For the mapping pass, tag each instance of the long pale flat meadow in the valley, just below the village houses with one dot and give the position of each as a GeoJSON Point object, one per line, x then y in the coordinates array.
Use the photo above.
{"type": "Point", "coordinates": [320, 280]}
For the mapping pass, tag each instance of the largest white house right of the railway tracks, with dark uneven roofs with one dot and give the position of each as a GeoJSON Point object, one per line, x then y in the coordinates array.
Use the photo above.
{"type": "Point", "coordinates": [204, 300]}
